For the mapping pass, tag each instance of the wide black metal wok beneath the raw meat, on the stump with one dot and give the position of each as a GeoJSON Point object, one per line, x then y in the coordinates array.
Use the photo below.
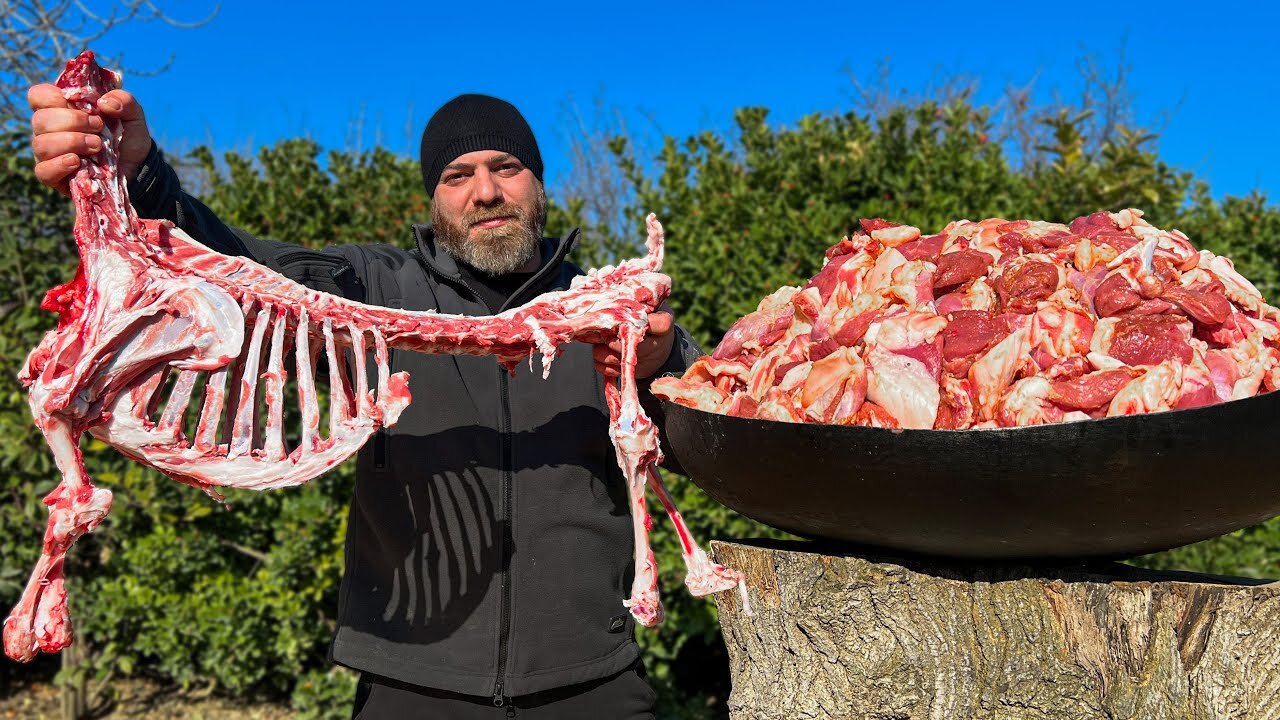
{"type": "Point", "coordinates": [1103, 489]}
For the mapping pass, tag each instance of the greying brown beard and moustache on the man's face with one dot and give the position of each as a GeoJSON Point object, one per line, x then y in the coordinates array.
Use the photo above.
{"type": "Point", "coordinates": [499, 250]}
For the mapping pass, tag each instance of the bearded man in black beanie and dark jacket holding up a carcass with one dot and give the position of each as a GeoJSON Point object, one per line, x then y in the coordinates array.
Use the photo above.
{"type": "Point", "coordinates": [490, 541]}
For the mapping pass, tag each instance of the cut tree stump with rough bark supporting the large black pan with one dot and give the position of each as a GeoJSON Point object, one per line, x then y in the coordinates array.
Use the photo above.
{"type": "Point", "coordinates": [844, 637]}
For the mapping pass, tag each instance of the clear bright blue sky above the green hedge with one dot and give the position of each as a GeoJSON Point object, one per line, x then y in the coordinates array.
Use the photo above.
{"type": "Point", "coordinates": [264, 71]}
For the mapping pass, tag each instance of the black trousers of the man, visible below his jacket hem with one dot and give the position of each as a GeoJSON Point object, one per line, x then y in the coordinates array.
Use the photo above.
{"type": "Point", "coordinates": [627, 696]}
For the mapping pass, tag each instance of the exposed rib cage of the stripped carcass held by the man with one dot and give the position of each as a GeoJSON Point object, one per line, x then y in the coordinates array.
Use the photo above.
{"type": "Point", "coordinates": [249, 422]}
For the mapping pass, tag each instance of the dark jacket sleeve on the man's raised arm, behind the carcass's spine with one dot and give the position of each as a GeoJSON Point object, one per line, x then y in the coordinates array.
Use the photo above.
{"type": "Point", "coordinates": [157, 194]}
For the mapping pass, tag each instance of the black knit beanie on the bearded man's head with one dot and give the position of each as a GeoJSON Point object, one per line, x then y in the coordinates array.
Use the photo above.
{"type": "Point", "coordinates": [476, 122]}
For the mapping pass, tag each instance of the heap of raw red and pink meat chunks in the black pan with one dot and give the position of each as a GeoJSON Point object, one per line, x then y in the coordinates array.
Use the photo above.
{"type": "Point", "coordinates": [995, 325]}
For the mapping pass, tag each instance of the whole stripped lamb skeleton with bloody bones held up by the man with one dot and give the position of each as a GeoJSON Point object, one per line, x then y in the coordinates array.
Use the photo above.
{"type": "Point", "coordinates": [148, 300]}
